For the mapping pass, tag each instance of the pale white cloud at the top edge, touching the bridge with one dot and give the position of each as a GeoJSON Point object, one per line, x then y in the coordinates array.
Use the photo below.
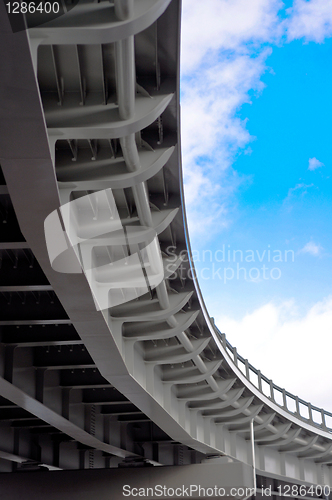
{"type": "Point", "coordinates": [214, 25]}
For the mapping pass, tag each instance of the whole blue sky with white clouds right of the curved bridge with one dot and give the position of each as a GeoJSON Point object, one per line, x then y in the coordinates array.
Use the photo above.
{"type": "Point", "coordinates": [256, 139]}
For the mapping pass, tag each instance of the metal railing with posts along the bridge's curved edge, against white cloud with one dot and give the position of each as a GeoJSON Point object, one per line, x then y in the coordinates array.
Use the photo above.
{"type": "Point", "coordinates": [294, 405]}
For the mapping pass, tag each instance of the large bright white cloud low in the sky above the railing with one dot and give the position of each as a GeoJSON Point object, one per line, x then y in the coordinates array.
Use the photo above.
{"type": "Point", "coordinates": [287, 347]}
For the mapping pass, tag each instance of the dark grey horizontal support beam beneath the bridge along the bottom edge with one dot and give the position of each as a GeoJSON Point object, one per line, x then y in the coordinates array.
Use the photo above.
{"type": "Point", "coordinates": [117, 483]}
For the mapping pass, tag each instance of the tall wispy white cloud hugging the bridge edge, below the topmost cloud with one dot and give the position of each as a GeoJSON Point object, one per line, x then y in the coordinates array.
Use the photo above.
{"type": "Point", "coordinates": [211, 135]}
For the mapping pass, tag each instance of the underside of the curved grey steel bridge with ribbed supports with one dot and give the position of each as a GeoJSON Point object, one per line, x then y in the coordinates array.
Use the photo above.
{"type": "Point", "coordinates": [90, 120]}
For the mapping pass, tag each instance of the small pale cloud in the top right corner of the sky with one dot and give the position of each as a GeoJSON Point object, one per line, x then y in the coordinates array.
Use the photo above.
{"type": "Point", "coordinates": [310, 20]}
